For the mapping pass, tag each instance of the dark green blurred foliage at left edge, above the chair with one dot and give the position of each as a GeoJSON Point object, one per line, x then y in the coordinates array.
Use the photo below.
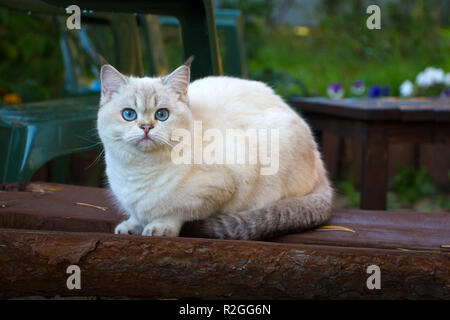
{"type": "Point", "coordinates": [30, 56]}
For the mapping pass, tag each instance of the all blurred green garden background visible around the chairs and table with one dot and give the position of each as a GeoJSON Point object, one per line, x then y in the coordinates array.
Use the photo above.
{"type": "Point", "coordinates": [297, 47]}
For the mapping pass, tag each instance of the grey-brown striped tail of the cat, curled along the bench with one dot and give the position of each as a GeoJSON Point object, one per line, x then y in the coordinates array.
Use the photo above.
{"type": "Point", "coordinates": [276, 218]}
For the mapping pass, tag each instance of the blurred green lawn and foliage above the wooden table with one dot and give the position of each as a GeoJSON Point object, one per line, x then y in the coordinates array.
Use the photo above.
{"type": "Point", "coordinates": [341, 49]}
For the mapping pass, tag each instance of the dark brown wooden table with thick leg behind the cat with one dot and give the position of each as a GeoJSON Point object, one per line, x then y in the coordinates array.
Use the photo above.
{"type": "Point", "coordinates": [378, 123]}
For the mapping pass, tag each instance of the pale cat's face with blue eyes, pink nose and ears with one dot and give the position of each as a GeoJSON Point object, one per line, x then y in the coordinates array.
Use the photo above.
{"type": "Point", "coordinates": [140, 114]}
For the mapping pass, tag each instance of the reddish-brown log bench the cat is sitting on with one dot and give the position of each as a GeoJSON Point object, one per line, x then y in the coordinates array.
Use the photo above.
{"type": "Point", "coordinates": [45, 227]}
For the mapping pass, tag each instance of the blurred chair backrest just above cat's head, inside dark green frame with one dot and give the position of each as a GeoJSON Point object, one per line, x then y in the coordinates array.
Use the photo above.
{"type": "Point", "coordinates": [114, 36]}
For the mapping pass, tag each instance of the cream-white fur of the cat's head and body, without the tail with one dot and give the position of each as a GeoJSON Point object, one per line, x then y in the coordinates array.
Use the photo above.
{"type": "Point", "coordinates": [160, 195]}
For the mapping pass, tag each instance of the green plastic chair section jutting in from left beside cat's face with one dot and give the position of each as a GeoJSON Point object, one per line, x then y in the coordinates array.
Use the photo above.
{"type": "Point", "coordinates": [32, 134]}
